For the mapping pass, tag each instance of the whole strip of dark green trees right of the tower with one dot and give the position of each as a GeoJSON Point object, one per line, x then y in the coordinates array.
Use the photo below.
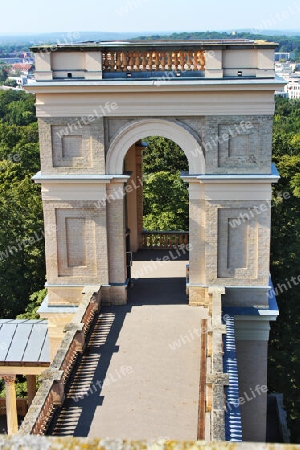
{"type": "Point", "coordinates": [284, 345]}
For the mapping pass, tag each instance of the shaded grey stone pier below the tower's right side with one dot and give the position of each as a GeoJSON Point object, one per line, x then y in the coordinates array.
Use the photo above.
{"type": "Point", "coordinates": [252, 357]}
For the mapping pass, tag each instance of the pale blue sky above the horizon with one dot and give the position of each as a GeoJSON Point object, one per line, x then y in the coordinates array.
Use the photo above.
{"type": "Point", "coordinates": [33, 16]}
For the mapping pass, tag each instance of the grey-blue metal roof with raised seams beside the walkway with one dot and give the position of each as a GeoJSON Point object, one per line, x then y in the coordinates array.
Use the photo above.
{"type": "Point", "coordinates": [24, 341]}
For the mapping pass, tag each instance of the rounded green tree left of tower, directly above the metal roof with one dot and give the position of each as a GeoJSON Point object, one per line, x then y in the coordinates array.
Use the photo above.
{"type": "Point", "coordinates": [22, 268]}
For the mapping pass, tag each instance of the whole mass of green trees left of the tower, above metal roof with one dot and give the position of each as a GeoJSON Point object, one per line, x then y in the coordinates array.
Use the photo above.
{"type": "Point", "coordinates": [22, 260]}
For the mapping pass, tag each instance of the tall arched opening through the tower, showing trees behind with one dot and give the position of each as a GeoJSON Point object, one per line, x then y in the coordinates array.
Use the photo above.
{"type": "Point", "coordinates": [157, 219]}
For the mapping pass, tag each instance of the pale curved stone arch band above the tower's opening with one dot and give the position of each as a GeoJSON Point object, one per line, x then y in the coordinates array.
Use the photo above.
{"type": "Point", "coordinates": [178, 132]}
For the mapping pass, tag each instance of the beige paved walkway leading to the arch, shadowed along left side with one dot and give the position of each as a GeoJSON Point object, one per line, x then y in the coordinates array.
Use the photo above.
{"type": "Point", "coordinates": [139, 377]}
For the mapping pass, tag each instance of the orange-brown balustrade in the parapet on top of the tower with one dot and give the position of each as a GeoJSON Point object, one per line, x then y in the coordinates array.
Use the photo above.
{"type": "Point", "coordinates": [136, 61]}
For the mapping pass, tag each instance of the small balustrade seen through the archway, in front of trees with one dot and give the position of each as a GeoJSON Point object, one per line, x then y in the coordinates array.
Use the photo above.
{"type": "Point", "coordinates": [164, 239]}
